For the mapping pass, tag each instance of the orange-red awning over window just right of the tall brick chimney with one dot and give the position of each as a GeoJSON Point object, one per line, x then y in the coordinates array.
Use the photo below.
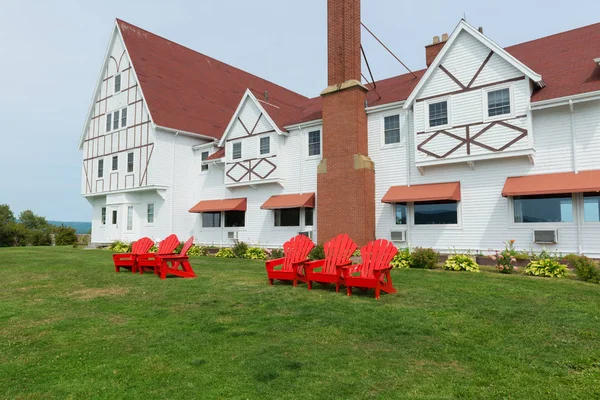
{"type": "Point", "coordinates": [428, 192]}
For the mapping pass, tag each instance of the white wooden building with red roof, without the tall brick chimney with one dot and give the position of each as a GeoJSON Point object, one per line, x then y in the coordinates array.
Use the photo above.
{"type": "Point", "coordinates": [485, 145]}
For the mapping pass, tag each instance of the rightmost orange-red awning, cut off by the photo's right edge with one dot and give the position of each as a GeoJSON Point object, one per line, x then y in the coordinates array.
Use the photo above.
{"type": "Point", "coordinates": [560, 183]}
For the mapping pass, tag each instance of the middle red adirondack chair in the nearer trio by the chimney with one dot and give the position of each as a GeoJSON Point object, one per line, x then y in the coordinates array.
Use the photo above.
{"type": "Point", "coordinates": [337, 255]}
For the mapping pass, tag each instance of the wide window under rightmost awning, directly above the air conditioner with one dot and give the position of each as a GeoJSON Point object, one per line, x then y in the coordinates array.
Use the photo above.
{"type": "Point", "coordinates": [532, 209]}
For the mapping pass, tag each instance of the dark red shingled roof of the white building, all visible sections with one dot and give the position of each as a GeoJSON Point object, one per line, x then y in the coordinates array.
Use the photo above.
{"type": "Point", "coordinates": [189, 91]}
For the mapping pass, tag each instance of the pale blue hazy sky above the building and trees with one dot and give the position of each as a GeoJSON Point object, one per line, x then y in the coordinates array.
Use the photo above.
{"type": "Point", "coordinates": [51, 53]}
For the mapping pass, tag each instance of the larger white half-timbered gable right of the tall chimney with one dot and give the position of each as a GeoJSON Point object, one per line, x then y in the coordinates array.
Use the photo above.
{"type": "Point", "coordinates": [472, 103]}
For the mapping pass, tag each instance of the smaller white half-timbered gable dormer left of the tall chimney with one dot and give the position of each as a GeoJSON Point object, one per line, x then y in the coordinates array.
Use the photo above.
{"type": "Point", "coordinates": [251, 141]}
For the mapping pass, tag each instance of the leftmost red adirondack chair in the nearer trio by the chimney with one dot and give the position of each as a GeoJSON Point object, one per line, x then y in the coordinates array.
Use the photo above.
{"type": "Point", "coordinates": [296, 252]}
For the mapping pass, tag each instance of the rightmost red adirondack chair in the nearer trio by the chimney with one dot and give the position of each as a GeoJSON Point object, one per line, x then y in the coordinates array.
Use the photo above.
{"type": "Point", "coordinates": [374, 272]}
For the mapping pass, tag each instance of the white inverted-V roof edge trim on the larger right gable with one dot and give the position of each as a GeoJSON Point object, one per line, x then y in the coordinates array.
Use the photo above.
{"type": "Point", "coordinates": [463, 26]}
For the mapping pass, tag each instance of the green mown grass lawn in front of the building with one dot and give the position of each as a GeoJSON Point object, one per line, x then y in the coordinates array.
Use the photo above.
{"type": "Point", "coordinates": [70, 327]}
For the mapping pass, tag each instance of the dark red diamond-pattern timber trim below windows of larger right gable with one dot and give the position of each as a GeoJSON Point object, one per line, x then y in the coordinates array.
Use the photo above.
{"type": "Point", "coordinates": [469, 140]}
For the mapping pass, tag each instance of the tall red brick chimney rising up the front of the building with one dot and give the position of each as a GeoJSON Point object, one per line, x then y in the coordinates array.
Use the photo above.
{"type": "Point", "coordinates": [345, 176]}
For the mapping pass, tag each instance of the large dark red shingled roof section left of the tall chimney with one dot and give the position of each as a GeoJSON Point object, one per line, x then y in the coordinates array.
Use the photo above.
{"type": "Point", "coordinates": [189, 91]}
